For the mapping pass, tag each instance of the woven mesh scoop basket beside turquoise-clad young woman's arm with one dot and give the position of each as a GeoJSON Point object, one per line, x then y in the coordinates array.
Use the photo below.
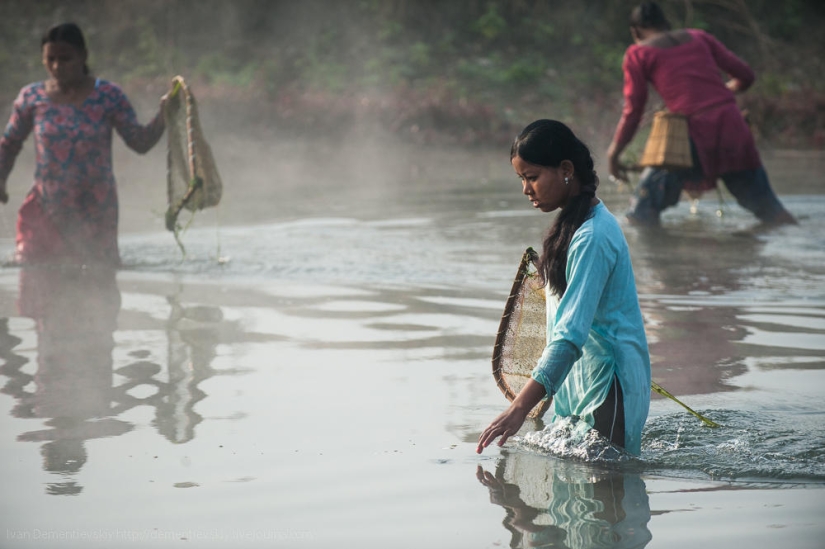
{"type": "Point", "coordinates": [522, 333]}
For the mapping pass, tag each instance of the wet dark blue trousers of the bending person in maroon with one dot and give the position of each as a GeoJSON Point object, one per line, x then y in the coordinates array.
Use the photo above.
{"type": "Point", "coordinates": [659, 189]}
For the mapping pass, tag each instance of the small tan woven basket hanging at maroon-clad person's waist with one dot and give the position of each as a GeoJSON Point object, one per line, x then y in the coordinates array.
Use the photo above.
{"type": "Point", "coordinates": [668, 145]}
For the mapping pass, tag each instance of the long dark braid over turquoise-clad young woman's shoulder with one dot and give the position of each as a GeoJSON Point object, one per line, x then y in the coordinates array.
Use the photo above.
{"type": "Point", "coordinates": [553, 265]}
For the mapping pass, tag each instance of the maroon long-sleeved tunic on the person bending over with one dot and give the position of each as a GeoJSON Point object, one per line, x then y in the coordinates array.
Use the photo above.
{"type": "Point", "coordinates": [687, 77]}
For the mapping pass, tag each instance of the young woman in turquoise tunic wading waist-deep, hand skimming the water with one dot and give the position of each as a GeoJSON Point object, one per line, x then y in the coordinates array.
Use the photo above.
{"type": "Point", "coordinates": [596, 365]}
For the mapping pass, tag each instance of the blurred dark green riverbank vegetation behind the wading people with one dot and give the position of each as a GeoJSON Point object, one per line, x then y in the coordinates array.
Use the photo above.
{"type": "Point", "coordinates": [461, 71]}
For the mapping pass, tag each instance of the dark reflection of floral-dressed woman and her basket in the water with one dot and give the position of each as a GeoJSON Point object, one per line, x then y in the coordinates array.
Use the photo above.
{"type": "Point", "coordinates": [77, 389]}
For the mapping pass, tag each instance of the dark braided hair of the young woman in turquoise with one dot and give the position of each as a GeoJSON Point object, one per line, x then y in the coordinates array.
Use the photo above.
{"type": "Point", "coordinates": [548, 143]}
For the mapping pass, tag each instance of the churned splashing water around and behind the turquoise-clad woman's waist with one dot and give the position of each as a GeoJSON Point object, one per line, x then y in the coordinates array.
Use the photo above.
{"type": "Point", "coordinates": [755, 448]}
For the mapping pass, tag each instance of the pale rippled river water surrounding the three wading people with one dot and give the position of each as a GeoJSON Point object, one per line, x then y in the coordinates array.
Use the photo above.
{"type": "Point", "coordinates": [317, 369]}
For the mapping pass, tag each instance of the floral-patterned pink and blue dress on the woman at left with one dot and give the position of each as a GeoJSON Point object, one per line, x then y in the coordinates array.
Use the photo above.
{"type": "Point", "coordinates": [71, 211]}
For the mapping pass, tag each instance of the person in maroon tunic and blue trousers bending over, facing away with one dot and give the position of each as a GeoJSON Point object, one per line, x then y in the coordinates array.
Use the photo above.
{"type": "Point", "coordinates": [684, 67]}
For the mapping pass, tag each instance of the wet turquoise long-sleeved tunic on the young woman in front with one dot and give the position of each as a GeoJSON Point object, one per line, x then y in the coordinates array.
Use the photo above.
{"type": "Point", "coordinates": [596, 331]}
